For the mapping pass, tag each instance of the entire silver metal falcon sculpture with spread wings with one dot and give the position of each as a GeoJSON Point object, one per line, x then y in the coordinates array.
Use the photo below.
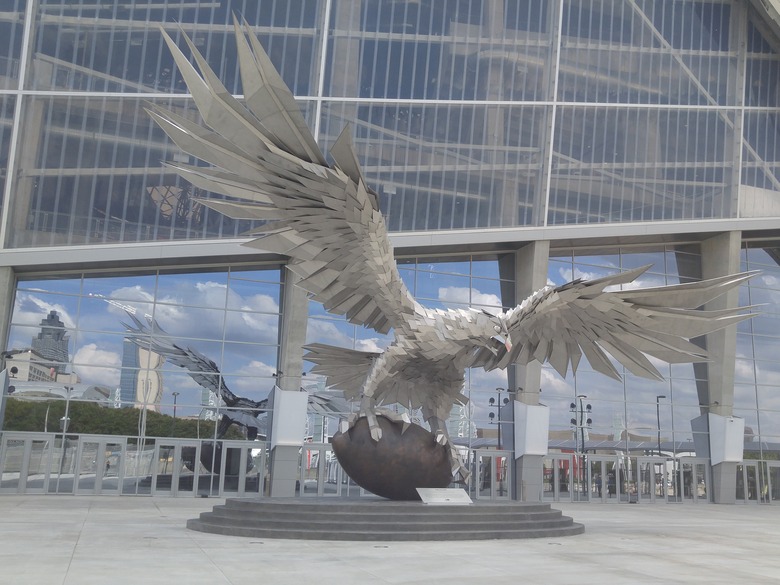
{"type": "Point", "coordinates": [327, 220]}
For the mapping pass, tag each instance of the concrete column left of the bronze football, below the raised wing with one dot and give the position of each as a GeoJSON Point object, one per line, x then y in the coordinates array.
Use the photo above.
{"type": "Point", "coordinates": [284, 471]}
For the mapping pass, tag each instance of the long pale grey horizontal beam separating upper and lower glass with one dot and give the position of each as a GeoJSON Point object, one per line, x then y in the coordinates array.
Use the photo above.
{"type": "Point", "coordinates": [195, 254]}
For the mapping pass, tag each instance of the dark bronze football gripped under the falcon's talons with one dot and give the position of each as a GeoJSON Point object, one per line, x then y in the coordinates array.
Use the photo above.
{"type": "Point", "coordinates": [396, 465]}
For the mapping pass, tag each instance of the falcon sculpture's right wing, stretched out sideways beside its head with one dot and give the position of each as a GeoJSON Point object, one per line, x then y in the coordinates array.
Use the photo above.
{"type": "Point", "coordinates": [558, 325]}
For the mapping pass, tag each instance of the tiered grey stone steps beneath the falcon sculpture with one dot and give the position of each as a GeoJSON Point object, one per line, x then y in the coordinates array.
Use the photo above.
{"type": "Point", "coordinates": [378, 520]}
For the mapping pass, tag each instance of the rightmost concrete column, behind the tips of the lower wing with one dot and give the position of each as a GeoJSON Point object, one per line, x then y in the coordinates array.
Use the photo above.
{"type": "Point", "coordinates": [719, 257]}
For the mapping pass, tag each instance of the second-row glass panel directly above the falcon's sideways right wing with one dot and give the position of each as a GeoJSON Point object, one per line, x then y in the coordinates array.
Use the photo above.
{"type": "Point", "coordinates": [640, 165]}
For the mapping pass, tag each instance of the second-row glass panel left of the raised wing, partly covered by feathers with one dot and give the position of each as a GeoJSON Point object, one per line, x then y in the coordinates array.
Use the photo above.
{"type": "Point", "coordinates": [91, 173]}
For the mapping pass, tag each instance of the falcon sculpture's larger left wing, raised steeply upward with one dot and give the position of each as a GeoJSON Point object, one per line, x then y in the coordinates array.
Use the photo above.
{"type": "Point", "coordinates": [325, 218]}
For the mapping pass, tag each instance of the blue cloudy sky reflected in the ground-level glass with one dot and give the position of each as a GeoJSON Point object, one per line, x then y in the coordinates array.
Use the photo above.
{"type": "Point", "coordinates": [233, 319]}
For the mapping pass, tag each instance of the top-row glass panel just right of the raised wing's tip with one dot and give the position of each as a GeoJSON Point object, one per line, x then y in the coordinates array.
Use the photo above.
{"type": "Point", "coordinates": [448, 49]}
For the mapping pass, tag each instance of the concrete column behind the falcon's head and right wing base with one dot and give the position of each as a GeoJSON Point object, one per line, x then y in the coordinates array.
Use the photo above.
{"type": "Point", "coordinates": [530, 275]}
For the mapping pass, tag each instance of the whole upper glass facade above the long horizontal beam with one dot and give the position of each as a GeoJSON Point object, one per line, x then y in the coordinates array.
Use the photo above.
{"type": "Point", "coordinates": [466, 113]}
